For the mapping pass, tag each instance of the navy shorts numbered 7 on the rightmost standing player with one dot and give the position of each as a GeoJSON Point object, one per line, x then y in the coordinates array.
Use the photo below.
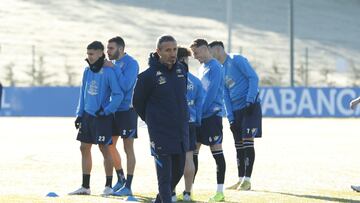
{"type": "Point", "coordinates": [248, 126]}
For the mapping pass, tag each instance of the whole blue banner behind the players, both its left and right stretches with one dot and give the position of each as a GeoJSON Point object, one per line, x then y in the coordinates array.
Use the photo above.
{"type": "Point", "coordinates": [276, 101]}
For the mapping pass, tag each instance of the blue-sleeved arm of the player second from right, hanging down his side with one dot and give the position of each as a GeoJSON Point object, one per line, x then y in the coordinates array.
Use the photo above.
{"type": "Point", "coordinates": [215, 77]}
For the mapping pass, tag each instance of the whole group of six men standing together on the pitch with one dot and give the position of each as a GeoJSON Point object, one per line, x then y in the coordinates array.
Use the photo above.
{"type": "Point", "coordinates": [182, 113]}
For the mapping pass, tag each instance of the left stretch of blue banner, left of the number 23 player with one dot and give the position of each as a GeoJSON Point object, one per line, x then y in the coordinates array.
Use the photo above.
{"type": "Point", "coordinates": [39, 101]}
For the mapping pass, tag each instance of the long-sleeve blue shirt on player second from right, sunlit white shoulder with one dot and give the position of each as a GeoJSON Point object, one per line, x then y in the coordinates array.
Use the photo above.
{"type": "Point", "coordinates": [212, 79]}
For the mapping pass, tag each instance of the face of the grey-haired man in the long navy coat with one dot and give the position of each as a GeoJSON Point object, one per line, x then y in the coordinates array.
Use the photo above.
{"type": "Point", "coordinates": [167, 52]}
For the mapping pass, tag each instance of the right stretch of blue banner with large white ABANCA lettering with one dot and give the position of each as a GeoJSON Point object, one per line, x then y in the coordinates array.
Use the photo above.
{"type": "Point", "coordinates": [308, 102]}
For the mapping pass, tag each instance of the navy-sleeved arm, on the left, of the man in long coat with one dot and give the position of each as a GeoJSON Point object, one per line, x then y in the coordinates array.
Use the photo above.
{"type": "Point", "coordinates": [141, 94]}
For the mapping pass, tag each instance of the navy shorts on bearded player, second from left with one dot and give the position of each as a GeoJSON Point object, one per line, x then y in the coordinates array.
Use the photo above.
{"type": "Point", "coordinates": [125, 124]}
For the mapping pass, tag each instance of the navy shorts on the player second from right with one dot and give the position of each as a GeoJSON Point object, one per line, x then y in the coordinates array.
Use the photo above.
{"type": "Point", "coordinates": [210, 131]}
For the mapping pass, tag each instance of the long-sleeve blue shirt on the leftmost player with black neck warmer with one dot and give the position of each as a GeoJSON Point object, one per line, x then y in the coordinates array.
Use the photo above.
{"type": "Point", "coordinates": [95, 92]}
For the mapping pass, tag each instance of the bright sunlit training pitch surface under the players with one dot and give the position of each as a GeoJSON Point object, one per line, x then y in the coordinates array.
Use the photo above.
{"type": "Point", "coordinates": [297, 160]}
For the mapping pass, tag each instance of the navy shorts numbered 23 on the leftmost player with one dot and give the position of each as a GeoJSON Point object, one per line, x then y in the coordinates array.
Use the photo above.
{"type": "Point", "coordinates": [95, 130]}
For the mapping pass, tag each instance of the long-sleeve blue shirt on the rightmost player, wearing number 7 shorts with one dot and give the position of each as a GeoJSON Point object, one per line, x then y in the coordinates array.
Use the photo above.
{"type": "Point", "coordinates": [241, 84]}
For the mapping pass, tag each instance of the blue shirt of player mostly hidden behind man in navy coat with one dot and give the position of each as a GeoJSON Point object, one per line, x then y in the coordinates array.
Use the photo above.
{"type": "Point", "coordinates": [195, 97]}
